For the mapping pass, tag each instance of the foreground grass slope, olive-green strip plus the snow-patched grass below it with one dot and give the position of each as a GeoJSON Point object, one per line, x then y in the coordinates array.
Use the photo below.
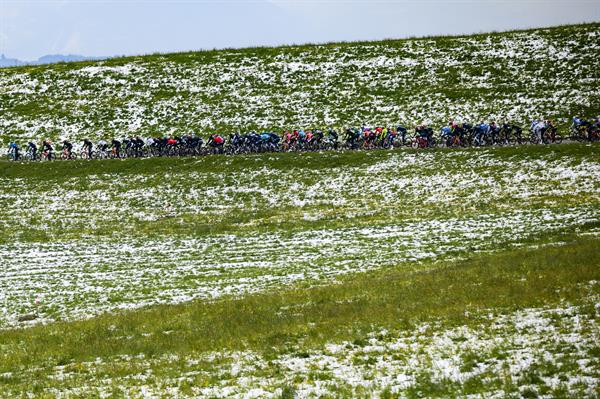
{"type": "Point", "coordinates": [516, 322]}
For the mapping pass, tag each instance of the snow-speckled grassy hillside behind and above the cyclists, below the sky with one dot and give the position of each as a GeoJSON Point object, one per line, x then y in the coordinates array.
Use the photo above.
{"type": "Point", "coordinates": [515, 75]}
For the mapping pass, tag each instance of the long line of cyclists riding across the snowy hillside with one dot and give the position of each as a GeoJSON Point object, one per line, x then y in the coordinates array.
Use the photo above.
{"type": "Point", "coordinates": [452, 135]}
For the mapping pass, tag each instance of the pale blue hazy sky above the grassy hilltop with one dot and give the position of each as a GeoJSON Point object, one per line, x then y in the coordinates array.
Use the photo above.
{"type": "Point", "coordinates": [32, 28]}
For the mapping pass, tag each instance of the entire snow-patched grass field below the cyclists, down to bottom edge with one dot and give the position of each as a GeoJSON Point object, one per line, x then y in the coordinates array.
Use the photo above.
{"type": "Point", "coordinates": [450, 272]}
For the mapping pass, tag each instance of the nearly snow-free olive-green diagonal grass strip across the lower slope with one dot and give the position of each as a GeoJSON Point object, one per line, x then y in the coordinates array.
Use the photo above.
{"type": "Point", "coordinates": [347, 310]}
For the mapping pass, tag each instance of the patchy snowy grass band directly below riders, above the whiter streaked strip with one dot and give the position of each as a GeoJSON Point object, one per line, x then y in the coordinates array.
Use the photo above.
{"type": "Point", "coordinates": [284, 191]}
